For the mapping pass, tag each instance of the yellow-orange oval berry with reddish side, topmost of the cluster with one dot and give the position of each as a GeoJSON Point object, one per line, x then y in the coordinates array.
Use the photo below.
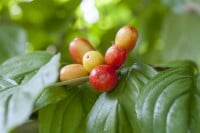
{"type": "Point", "coordinates": [126, 37]}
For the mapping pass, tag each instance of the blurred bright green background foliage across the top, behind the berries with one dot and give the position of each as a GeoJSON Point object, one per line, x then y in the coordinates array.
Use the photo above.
{"type": "Point", "coordinates": [168, 29]}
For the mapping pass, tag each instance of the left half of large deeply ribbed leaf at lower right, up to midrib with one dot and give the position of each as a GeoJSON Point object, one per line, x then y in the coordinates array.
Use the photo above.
{"type": "Point", "coordinates": [164, 104]}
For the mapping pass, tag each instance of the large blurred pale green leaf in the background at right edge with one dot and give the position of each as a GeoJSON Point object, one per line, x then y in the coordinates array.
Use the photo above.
{"type": "Point", "coordinates": [181, 41]}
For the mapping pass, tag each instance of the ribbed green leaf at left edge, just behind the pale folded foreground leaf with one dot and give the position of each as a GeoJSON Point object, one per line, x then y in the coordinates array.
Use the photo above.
{"type": "Point", "coordinates": [23, 64]}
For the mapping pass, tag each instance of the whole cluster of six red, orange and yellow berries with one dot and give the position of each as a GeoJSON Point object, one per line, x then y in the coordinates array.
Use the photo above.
{"type": "Point", "coordinates": [101, 70]}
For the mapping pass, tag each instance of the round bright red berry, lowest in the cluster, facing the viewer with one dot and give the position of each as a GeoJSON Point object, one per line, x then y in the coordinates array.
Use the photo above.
{"type": "Point", "coordinates": [103, 78]}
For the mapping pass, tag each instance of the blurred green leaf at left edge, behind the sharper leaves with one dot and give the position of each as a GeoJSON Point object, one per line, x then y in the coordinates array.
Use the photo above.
{"type": "Point", "coordinates": [12, 41]}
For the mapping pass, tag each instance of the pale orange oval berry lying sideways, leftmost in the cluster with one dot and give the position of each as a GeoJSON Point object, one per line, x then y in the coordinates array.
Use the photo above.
{"type": "Point", "coordinates": [72, 71]}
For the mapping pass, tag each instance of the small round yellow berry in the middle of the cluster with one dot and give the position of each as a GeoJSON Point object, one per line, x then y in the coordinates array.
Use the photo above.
{"type": "Point", "coordinates": [91, 59]}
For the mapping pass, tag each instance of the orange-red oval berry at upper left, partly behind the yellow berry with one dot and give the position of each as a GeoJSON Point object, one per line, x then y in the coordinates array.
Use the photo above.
{"type": "Point", "coordinates": [78, 47]}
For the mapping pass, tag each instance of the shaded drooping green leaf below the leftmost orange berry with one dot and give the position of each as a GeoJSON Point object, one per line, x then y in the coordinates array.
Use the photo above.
{"type": "Point", "coordinates": [68, 115]}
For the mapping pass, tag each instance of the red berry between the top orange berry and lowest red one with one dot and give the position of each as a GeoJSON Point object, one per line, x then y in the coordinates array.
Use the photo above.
{"type": "Point", "coordinates": [115, 56]}
